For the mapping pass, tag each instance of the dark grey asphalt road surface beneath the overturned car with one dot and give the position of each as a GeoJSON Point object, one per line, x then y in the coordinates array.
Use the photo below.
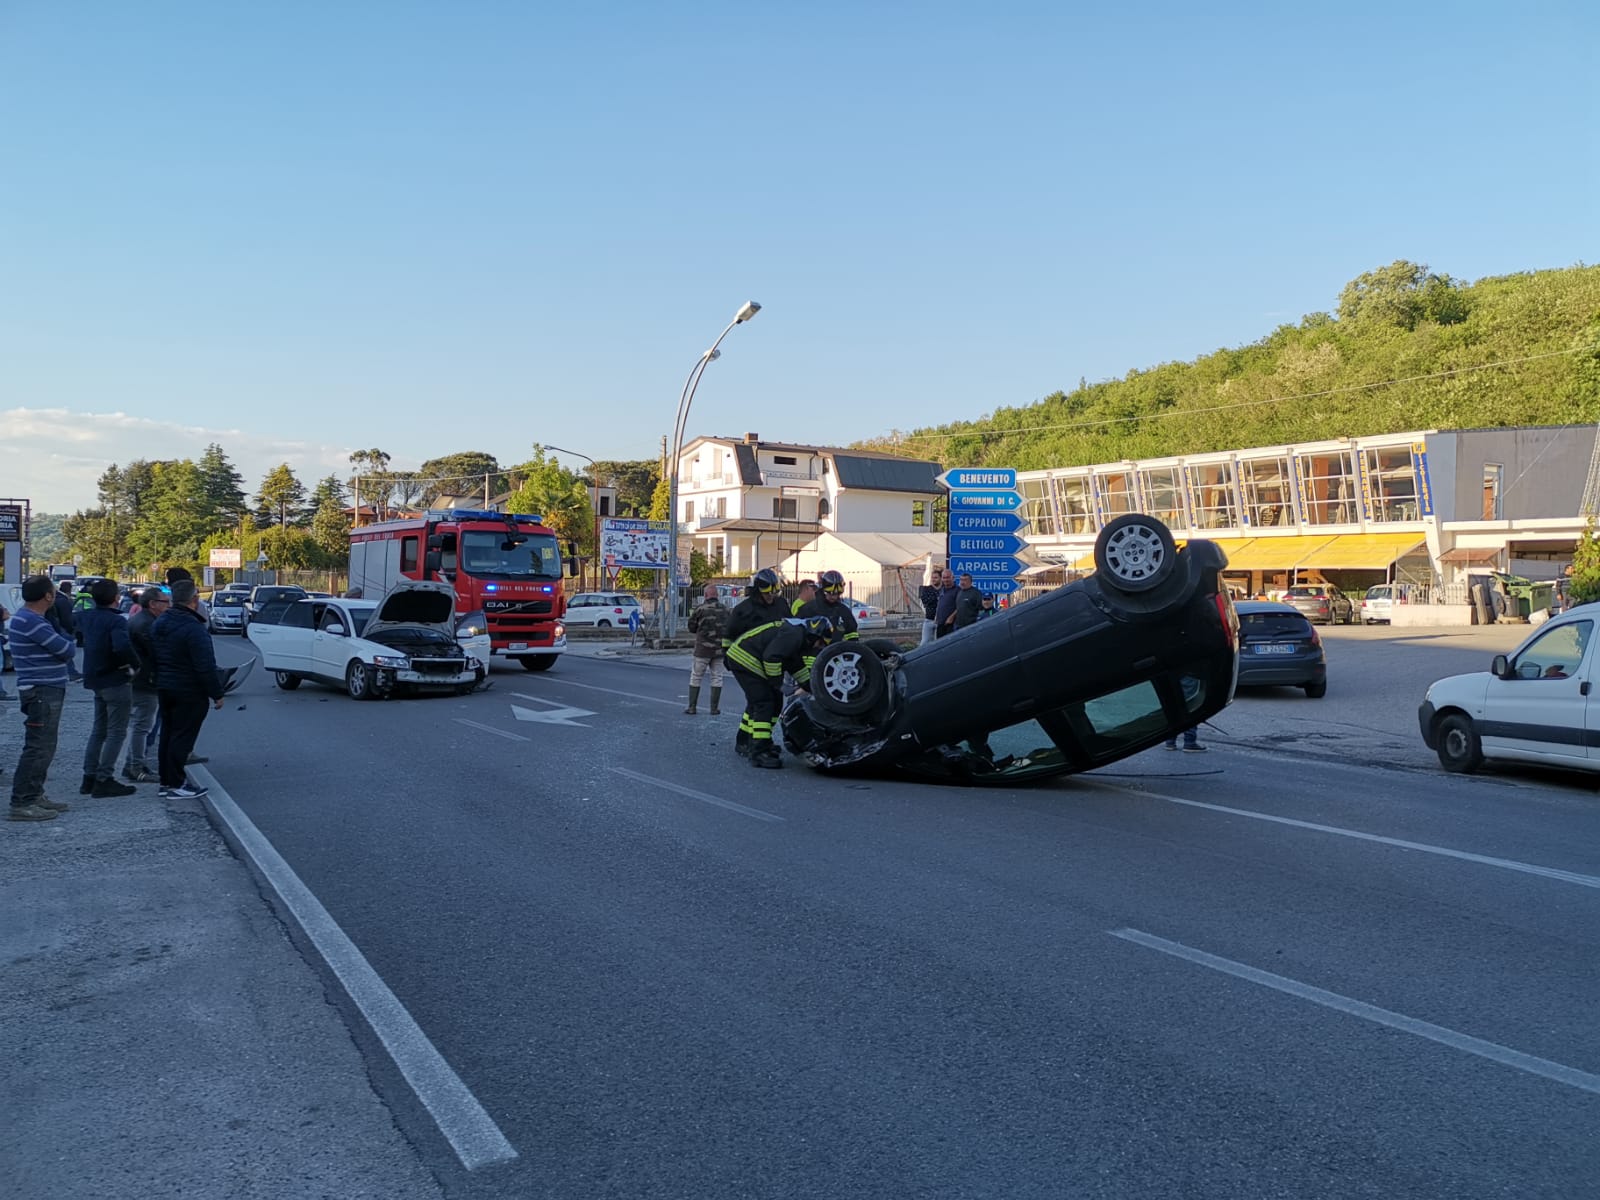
{"type": "Point", "coordinates": [1290, 967]}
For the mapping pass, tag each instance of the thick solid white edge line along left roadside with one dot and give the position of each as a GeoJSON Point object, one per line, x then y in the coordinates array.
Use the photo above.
{"type": "Point", "coordinates": [471, 1132]}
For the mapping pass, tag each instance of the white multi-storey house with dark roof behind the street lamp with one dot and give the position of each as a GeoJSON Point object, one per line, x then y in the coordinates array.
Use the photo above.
{"type": "Point", "coordinates": [756, 503]}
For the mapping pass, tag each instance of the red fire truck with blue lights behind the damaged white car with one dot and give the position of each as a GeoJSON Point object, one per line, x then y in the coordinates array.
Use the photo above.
{"type": "Point", "coordinates": [505, 567]}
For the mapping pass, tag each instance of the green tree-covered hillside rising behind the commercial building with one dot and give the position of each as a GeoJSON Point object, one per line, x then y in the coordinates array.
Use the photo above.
{"type": "Point", "coordinates": [1404, 350]}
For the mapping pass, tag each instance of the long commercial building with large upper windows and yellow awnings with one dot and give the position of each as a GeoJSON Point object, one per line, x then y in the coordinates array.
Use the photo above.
{"type": "Point", "coordinates": [1415, 508]}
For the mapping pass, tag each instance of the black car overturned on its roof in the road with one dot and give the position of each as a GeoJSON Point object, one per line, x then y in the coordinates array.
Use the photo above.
{"type": "Point", "coordinates": [1078, 679]}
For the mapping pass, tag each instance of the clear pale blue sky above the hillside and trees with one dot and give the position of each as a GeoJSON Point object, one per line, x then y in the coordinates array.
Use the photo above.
{"type": "Point", "coordinates": [306, 228]}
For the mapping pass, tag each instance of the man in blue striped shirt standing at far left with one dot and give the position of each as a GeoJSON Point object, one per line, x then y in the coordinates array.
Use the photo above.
{"type": "Point", "coordinates": [42, 658]}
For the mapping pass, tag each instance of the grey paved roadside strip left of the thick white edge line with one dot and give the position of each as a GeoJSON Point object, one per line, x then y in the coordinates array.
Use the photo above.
{"type": "Point", "coordinates": [159, 1031]}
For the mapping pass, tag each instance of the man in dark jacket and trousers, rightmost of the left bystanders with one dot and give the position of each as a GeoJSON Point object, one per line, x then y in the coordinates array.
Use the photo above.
{"type": "Point", "coordinates": [186, 682]}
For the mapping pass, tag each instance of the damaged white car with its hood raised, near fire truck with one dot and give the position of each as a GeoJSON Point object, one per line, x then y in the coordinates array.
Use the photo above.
{"type": "Point", "coordinates": [372, 649]}
